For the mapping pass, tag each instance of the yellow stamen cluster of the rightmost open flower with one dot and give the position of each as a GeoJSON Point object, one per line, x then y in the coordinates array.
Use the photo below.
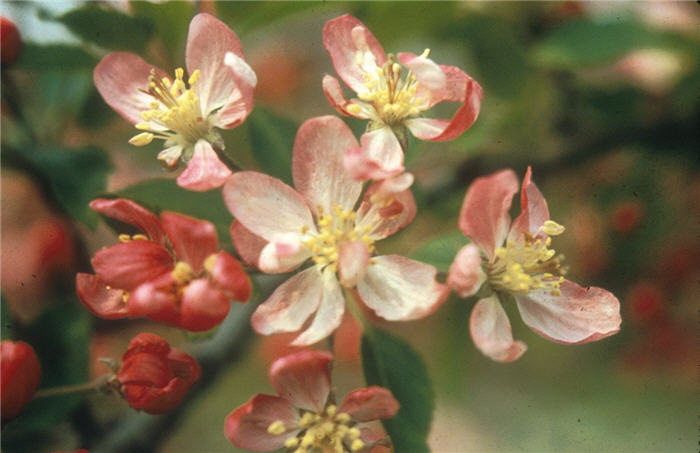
{"type": "Point", "coordinates": [523, 266]}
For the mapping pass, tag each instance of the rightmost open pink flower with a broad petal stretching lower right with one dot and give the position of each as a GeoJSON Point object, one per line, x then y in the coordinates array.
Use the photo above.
{"type": "Point", "coordinates": [519, 261]}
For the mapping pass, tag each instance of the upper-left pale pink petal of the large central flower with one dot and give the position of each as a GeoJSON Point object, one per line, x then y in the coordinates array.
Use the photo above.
{"type": "Point", "coordinates": [266, 206]}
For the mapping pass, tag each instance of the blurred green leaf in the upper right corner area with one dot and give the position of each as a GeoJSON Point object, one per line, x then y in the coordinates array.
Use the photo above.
{"type": "Point", "coordinates": [585, 42]}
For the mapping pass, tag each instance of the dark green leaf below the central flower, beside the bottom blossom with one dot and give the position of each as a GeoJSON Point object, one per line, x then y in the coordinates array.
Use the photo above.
{"type": "Point", "coordinates": [391, 363]}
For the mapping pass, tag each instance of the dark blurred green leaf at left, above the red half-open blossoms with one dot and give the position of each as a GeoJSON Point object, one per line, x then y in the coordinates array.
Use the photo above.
{"type": "Point", "coordinates": [74, 177]}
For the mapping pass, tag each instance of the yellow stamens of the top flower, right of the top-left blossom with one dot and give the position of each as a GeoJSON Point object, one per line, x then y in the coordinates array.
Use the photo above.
{"type": "Point", "coordinates": [389, 98]}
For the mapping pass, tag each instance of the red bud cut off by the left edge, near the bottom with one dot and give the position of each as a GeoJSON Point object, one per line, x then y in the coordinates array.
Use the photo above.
{"type": "Point", "coordinates": [21, 373]}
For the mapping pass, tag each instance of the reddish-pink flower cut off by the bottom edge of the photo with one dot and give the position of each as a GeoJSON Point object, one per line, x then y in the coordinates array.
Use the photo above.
{"type": "Point", "coordinates": [303, 418]}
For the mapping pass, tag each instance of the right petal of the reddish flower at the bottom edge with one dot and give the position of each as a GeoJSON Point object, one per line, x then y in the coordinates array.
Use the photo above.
{"type": "Point", "coordinates": [371, 403]}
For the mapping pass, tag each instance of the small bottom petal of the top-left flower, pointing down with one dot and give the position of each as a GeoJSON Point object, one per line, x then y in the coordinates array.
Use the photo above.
{"type": "Point", "coordinates": [204, 171]}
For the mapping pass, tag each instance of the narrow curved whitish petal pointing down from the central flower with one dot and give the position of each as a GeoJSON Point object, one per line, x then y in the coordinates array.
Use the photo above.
{"type": "Point", "coordinates": [329, 314]}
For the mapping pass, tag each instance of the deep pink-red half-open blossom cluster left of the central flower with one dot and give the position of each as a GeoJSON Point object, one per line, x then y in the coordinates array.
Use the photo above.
{"type": "Point", "coordinates": [174, 273]}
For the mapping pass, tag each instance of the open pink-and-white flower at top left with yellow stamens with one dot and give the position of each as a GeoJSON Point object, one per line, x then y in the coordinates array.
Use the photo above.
{"type": "Point", "coordinates": [220, 94]}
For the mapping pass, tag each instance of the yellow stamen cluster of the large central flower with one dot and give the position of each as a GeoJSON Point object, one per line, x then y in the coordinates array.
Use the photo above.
{"type": "Point", "coordinates": [334, 229]}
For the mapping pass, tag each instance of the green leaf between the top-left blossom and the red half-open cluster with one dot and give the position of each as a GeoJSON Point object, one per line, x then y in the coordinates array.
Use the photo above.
{"type": "Point", "coordinates": [165, 195]}
